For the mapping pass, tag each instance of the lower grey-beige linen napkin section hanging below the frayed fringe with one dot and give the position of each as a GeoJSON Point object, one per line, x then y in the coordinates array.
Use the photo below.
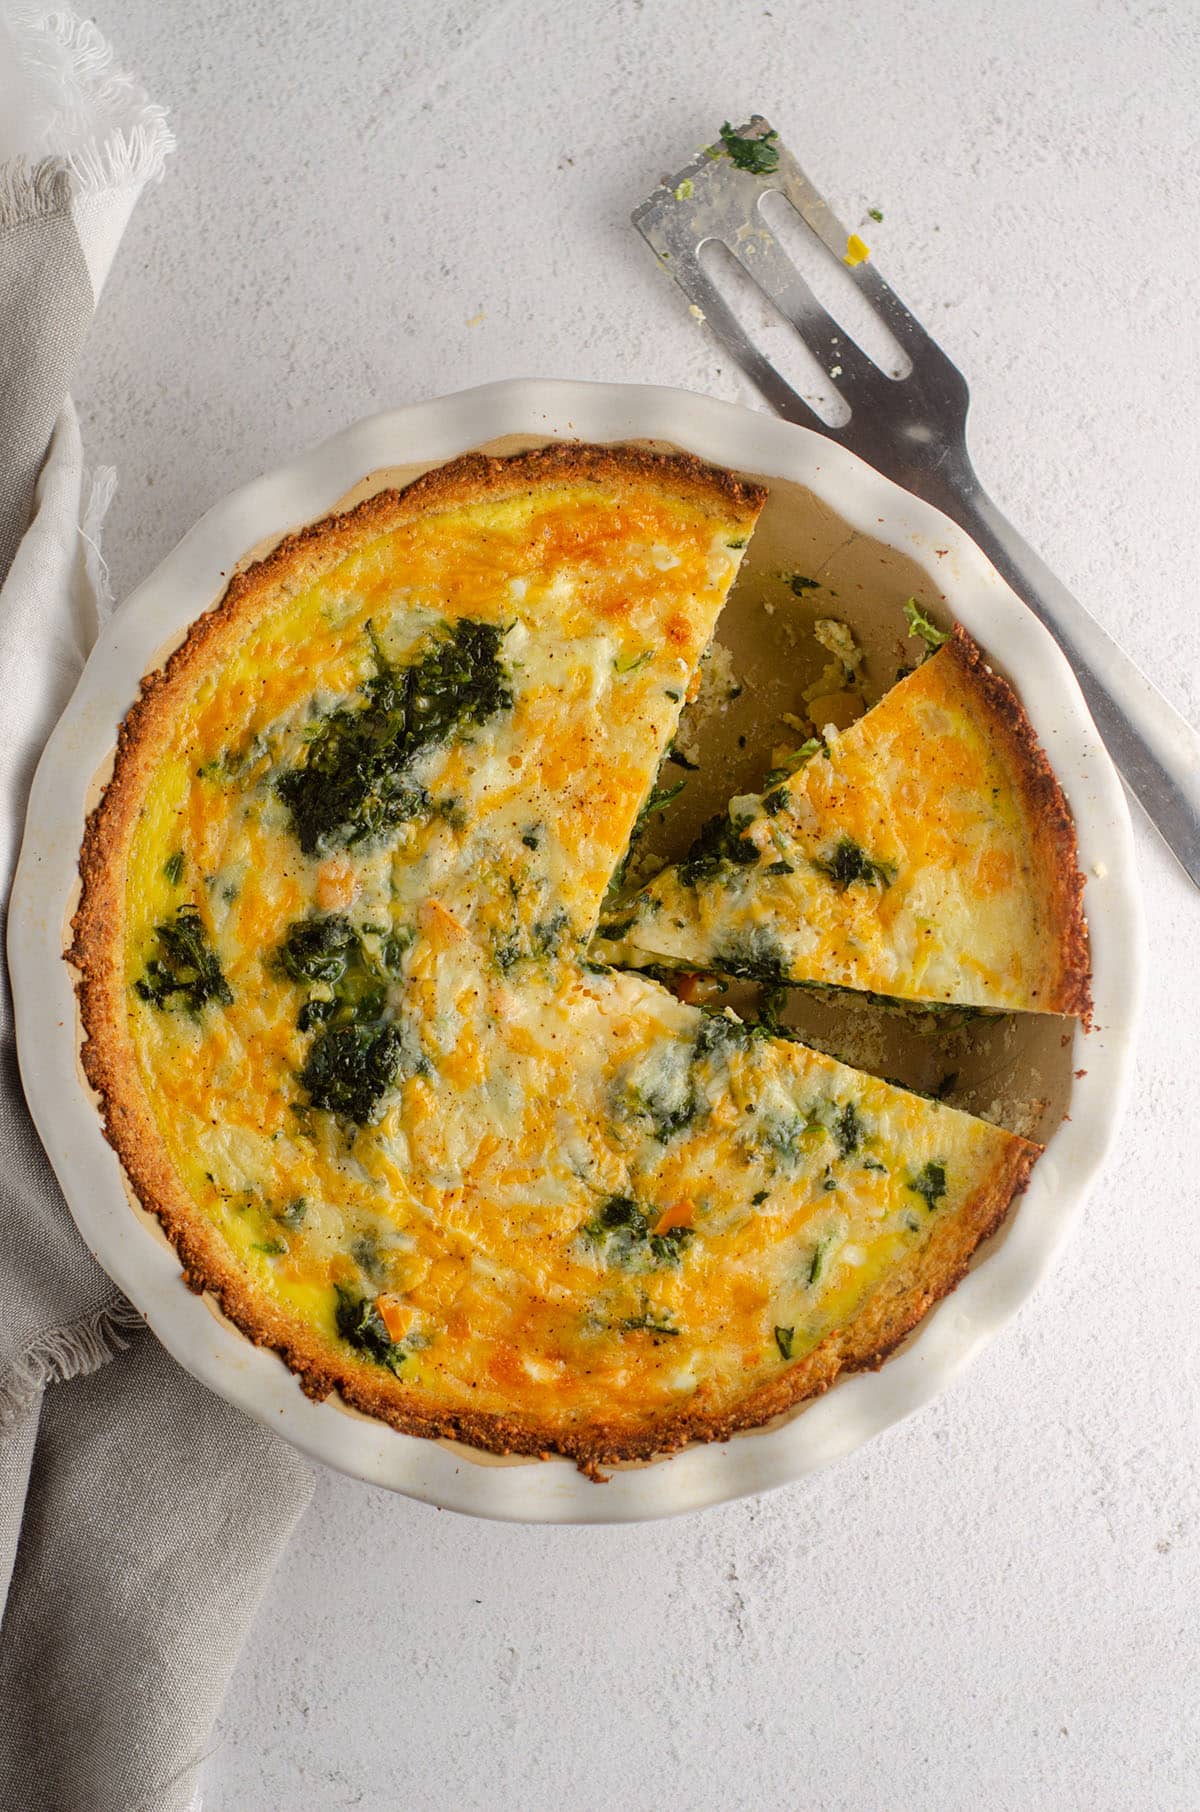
{"type": "Point", "coordinates": [155, 1521]}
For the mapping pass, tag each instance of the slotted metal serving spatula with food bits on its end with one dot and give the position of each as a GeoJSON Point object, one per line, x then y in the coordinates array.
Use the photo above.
{"type": "Point", "coordinates": [913, 430]}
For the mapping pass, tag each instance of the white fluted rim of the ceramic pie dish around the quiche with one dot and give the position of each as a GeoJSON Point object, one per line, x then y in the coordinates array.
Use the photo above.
{"type": "Point", "coordinates": [133, 1251]}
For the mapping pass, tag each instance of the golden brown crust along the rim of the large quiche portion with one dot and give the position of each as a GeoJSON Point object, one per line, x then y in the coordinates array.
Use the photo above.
{"type": "Point", "coordinates": [110, 1065]}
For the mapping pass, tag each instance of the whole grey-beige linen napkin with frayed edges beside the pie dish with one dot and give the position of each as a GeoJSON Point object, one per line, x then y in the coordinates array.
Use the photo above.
{"type": "Point", "coordinates": [140, 1518]}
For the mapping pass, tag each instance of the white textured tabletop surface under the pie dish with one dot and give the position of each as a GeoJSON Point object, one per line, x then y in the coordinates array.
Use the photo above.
{"type": "Point", "coordinates": [994, 1606]}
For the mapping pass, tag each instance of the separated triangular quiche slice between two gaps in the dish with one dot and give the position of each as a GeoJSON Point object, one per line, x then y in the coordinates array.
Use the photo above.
{"type": "Point", "coordinates": [925, 854]}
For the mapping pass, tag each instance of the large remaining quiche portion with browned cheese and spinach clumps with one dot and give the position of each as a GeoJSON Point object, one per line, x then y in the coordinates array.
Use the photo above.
{"type": "Point", "coordinates": [347, 1026]}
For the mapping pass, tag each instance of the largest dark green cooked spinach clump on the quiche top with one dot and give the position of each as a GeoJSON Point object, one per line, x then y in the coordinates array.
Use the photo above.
{"type": "Point", "coordinates": [356, 780]}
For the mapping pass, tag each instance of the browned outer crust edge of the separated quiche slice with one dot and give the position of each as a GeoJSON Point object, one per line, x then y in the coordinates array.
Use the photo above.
{"type": "Point", "coordinates": [1049, 818]}
